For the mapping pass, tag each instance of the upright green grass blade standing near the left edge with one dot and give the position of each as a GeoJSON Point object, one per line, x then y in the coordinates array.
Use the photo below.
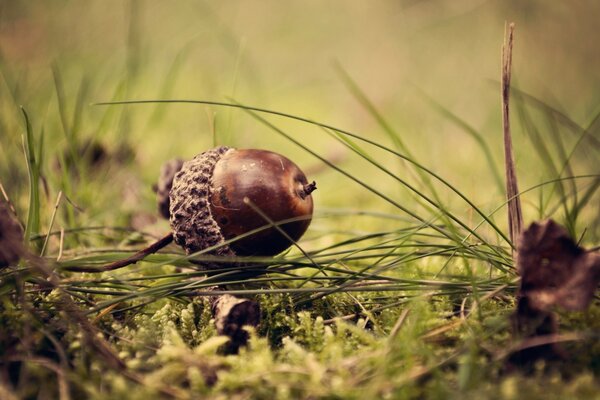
{"type": "Point", "coordinates": [33, 218]}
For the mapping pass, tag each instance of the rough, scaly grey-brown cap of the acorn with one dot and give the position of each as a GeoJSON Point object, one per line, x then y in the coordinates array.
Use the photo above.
{"type": "Point", "coordinates": [193, 226]}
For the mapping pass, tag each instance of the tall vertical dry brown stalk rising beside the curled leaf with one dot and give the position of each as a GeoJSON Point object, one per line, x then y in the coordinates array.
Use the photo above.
{"type": "Point", "coordinates": [515, 216]}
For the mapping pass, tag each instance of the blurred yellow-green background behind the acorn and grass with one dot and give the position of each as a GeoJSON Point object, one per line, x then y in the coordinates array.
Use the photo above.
{"type": "Point", "coordinates": [58, 57]}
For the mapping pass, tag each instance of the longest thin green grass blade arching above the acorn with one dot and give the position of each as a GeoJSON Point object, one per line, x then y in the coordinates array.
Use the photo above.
{"type": "Point", "coordinates": [344, 132]}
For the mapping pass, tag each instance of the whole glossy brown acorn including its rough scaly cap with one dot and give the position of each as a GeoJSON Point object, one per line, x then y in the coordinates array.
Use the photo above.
{"type": "Point", "coordinates": [223, 193]}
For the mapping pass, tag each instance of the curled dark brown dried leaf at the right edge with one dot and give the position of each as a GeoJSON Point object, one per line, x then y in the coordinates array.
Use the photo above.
{"type": "Point", "coordinates": [555, 270]}
